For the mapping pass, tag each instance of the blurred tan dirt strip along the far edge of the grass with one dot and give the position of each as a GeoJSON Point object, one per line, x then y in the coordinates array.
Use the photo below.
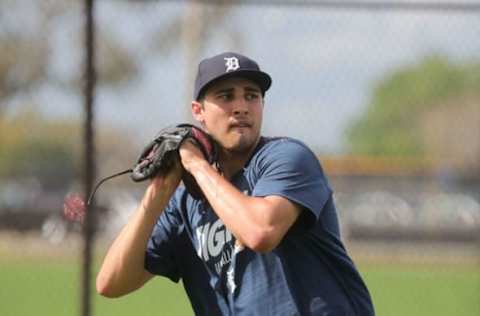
{"type": "Point", "coordinates": [20, 246]}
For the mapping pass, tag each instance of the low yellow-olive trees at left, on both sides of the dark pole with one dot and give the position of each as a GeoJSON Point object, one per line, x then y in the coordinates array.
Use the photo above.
{"type": "Point", "coordinates": [49, 150]}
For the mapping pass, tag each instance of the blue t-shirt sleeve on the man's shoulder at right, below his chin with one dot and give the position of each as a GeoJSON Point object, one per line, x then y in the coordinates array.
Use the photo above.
{"type": "Point", "coordinates": [291, 170]}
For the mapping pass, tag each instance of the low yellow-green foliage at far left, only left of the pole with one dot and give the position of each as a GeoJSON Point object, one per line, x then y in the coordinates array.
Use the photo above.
{"type": "Point", "coordinates": [33, 146]}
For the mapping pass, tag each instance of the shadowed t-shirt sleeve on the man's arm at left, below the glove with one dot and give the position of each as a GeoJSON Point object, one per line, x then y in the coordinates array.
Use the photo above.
{"type": "Point", "coordinates": [160, 257]}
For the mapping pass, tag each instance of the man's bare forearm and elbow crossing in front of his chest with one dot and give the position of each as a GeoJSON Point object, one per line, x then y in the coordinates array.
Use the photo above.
{"type": "Point", "coordinates": [259, 223]}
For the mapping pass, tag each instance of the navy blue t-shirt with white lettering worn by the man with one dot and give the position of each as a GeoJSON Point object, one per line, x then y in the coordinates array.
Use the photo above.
{"type": "Point", "coordinates": [308, 273]}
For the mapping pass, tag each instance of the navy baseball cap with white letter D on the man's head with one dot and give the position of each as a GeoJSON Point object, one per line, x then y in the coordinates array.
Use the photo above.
{"type": "Point", "coordinates": [227, 65]}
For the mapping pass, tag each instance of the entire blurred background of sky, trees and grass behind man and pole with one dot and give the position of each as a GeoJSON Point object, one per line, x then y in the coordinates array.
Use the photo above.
{"type": "Point", "coordinates": [387, 94]}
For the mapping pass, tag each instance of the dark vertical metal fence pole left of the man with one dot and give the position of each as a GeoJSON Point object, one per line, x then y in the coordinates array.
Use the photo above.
{"type": "Point", "coordinates": [89, 174]}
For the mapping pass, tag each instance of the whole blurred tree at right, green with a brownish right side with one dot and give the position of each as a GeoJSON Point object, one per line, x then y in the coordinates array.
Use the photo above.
{"type": "Point", "coordinates": [396, 119]}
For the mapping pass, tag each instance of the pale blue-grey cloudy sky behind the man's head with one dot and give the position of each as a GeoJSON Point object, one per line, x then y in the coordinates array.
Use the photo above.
{"type": "Point", "coordinates": [324, 63]}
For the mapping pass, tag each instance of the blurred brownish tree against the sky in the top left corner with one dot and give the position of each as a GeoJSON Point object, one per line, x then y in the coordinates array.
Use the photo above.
{"type": "Point", "coordinates": [26, 56]}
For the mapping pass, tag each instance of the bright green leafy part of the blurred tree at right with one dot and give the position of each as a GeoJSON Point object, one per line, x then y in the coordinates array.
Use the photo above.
{"type": "Point", "coordinates": [390, 124]}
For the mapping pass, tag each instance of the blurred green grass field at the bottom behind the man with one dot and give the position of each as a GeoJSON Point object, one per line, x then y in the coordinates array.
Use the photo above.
{"type": "Point", "coordinates": [33, 285]}
